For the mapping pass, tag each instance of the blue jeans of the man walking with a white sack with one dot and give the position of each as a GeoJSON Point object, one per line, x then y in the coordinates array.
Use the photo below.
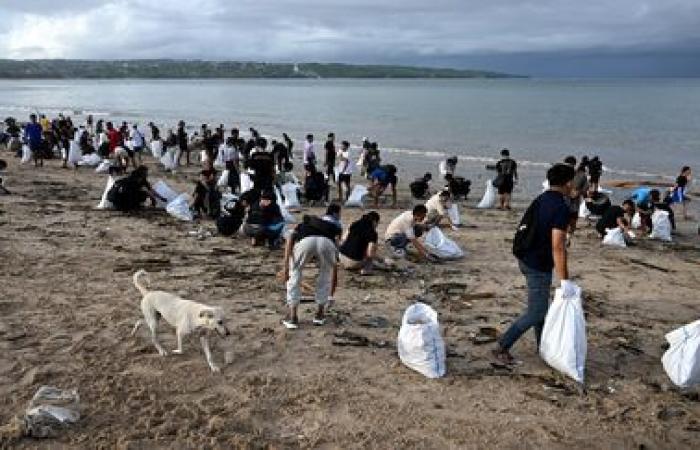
{"type": "Point", "coordinates": [538, 284]}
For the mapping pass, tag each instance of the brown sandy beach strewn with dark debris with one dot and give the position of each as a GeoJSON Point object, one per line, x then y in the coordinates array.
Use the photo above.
{"type": "Point", "coordinates": [68, 306]}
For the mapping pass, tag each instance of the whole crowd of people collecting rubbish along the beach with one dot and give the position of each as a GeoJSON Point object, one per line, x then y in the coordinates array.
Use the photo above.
{"type": "Point", "coordinates": [247, 185]}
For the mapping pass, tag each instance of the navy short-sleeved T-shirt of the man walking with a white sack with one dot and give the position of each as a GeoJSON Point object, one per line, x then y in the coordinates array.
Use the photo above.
{"type": "Point", "coordinates": [552, 213]}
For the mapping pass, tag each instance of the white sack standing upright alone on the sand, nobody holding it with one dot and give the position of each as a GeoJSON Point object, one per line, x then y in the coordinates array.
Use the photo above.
{"type": "Point", "coordinates": [420, 344]}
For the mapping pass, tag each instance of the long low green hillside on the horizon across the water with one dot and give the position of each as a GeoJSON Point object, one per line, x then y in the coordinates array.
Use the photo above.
{"type": "Point", "coordinates": [167, 68]}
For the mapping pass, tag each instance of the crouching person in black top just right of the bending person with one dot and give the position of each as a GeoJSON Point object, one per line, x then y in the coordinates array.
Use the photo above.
{"type": "Point", "coordinates": [359, 248]}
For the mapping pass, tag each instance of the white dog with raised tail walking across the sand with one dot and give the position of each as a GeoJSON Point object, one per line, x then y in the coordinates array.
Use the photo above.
{"type": "Point", "coordinates": [186, 316]}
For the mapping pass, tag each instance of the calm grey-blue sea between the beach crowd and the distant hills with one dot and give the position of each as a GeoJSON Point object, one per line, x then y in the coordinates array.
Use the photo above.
{"type": "Point", "coordinates": [639, 127]}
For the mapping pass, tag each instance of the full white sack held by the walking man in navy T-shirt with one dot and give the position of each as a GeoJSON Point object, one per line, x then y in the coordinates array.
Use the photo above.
{"type": "Point", "coordinates": [563, 343]}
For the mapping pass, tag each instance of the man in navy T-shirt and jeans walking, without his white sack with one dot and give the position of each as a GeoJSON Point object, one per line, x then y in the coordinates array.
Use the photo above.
{"type": "Point", "coordinates": [540, 246]}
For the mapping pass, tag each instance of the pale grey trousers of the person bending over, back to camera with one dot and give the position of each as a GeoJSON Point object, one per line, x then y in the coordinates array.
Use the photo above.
{"type": "Point", "coordinates": [324, 251]}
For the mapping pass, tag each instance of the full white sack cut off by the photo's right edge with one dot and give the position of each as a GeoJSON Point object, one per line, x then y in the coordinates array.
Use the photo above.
{"type": "Point", "coordinates": [682, 360]}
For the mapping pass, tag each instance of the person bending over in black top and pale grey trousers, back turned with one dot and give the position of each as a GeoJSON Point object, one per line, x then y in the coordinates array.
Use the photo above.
{"type": "Point", "coordinates": [313, 239]}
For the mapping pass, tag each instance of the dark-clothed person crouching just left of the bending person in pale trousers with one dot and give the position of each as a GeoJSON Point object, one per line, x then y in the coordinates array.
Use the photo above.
{"type": "Point", "coordinates": [265, 221]}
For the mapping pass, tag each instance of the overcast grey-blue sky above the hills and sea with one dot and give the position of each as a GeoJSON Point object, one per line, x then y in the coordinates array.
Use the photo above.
{"type": "Point", "coordinates": [537, 37]}
